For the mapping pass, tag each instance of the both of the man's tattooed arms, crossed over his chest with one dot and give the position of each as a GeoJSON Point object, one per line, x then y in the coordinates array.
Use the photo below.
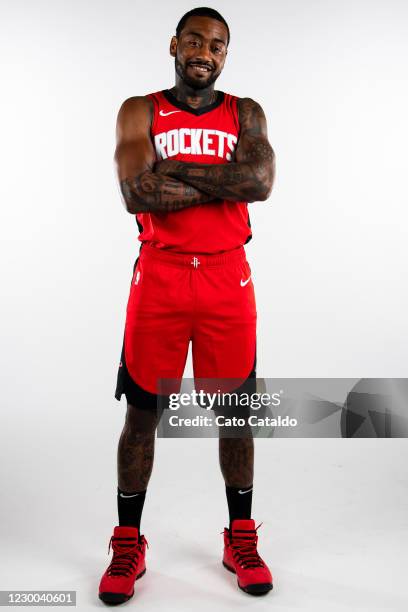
{"type": "Point", "coordinates": [171, 185]}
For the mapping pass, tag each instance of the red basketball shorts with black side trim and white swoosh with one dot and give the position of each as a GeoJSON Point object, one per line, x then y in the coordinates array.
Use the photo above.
{"type": "Point", "coordinates": [177, 298]}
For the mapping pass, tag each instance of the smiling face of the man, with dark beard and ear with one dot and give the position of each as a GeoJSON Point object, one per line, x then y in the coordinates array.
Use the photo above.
{"type": "Point", "coordinates": [200, 51]}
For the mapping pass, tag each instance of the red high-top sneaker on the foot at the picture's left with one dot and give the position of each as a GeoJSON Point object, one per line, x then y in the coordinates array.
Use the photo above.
{"type": "Point", "coordinates": [127, 565]}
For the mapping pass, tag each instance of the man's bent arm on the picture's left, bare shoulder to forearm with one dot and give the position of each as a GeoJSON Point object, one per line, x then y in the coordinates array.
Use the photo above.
{"type": "Point", "coordinates": [144, 190]}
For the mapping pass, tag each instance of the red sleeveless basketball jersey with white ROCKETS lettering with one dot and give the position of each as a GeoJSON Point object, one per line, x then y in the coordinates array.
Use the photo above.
{"type": "Point", "coordinates": [207, 135]}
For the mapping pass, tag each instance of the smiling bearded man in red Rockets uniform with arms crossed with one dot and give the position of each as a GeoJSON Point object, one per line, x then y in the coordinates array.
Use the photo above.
{"type": "Point", "coordinates": [189, 159]}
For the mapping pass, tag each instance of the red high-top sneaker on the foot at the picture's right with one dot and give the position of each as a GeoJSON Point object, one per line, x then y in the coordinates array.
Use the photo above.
{"type": "Point", "coordinates": [242, 558]}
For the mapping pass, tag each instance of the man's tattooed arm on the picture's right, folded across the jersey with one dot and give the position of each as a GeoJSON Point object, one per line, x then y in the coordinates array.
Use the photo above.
{"type": "Point", "coordinates": [250, 177]}
